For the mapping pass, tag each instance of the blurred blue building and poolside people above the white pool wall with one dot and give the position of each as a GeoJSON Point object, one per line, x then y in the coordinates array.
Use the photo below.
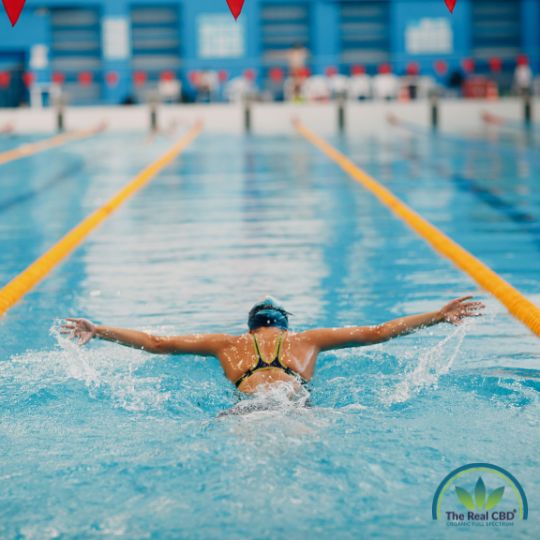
{"type": "Point", "coordinates": [181, 51]}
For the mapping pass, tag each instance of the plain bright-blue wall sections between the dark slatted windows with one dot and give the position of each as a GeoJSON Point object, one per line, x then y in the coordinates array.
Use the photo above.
{"type": "Point", "coordinates": [34, 29]}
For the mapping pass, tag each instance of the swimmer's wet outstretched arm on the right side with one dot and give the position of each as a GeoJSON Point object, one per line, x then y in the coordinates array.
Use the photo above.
{"type": "Point", "coordinates": [340, 338]}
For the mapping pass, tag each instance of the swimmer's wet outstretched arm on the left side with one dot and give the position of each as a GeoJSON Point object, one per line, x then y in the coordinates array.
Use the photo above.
{"type": "Point", "coordinates": [200, 344]}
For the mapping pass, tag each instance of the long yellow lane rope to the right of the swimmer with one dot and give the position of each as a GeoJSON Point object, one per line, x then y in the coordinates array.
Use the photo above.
{"type": "Point", "coordinates": [517, 304]}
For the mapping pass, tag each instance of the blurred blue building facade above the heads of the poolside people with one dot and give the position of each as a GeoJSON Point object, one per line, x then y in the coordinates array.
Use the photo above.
{"type": "Point", "coordinates": [106, 51]}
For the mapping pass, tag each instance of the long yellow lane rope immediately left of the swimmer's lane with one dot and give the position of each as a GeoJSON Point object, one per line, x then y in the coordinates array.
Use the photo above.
{"type": "Point", "coordinates": [29, 278]}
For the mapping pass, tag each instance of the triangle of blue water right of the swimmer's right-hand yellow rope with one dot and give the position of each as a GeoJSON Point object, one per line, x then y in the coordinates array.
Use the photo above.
{"type": "Point", "coordinates": [484, 200]}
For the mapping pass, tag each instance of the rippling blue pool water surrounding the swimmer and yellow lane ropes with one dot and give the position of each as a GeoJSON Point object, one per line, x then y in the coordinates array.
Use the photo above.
{"type": "Point", "coordinates": [106, 441]}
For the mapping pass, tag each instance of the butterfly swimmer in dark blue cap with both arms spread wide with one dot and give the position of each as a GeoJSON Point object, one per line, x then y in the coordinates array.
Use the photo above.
{"type": "Point", "coordinates": [269, 353]}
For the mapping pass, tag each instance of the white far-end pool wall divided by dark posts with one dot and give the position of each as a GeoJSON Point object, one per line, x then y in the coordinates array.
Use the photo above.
{"type": "Point", "coordinates": [272, 118]}
